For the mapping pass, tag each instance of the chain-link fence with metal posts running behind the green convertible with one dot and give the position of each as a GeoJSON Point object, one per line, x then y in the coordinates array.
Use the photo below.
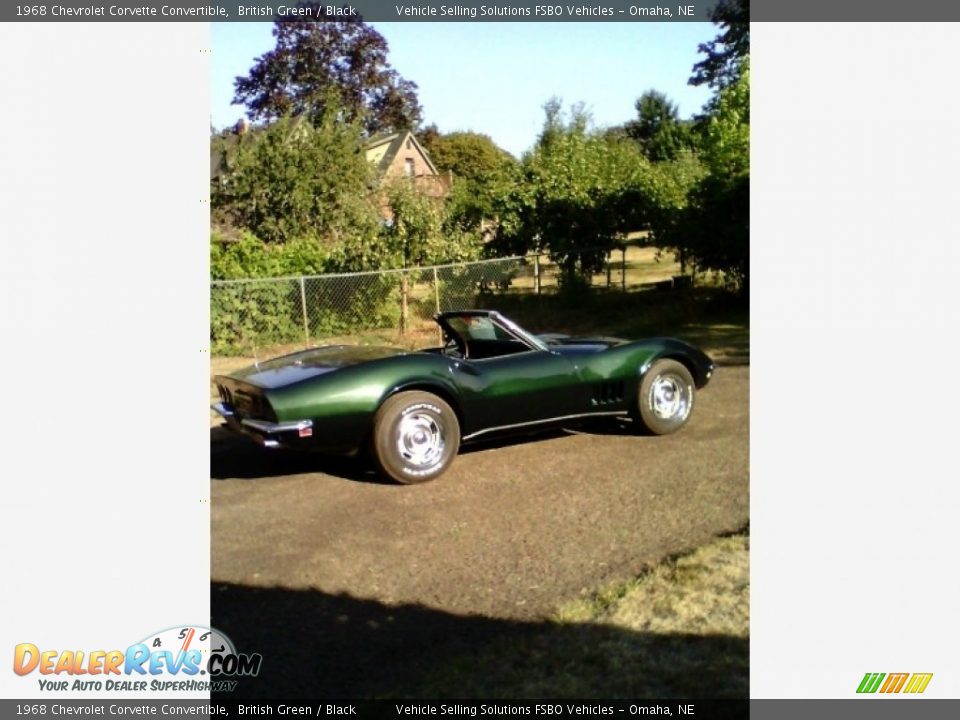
{"type": "Point", "coordinates": [250, 316]}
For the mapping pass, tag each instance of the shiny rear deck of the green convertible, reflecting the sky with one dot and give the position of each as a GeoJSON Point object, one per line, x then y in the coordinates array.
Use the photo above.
{"type": "Point", "coordinates": [289, 369]}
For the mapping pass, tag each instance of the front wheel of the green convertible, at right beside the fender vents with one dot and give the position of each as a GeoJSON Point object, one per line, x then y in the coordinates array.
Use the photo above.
{"type": "Point", "coordinates": [666, 397]}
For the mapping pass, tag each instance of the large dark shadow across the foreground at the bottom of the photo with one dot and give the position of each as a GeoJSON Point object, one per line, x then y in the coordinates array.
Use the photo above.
{"type": "Point", "coordinates": [320, 645]}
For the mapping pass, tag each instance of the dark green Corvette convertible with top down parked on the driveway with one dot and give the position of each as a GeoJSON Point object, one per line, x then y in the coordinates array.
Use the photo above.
{"type": "Point", "coordinates": [413, 409]}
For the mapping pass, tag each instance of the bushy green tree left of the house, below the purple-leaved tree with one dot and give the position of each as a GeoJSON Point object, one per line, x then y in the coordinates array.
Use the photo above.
{"type": "Point", "coordinates": [292, 181]}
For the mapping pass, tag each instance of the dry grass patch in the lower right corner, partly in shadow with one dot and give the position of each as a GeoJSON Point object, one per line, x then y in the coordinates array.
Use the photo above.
{"type": "Point", "coordinates": [679, 631]}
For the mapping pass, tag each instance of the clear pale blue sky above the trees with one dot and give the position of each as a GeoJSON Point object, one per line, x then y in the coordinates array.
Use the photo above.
{"type": "Point", "coordinates": [494, 78]}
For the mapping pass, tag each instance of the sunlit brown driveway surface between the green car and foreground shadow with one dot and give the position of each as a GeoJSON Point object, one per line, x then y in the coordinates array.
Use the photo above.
{"type": "Point", "coordinates": [509, 532]}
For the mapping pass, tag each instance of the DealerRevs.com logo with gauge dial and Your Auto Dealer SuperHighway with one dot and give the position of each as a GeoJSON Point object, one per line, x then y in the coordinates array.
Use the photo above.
{"type": "Point", "coordinates": [186, 658]}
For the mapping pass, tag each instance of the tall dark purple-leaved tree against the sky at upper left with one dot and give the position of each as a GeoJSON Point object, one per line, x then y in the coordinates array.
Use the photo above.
{"type": "Point", "coordinates": [329, 63]}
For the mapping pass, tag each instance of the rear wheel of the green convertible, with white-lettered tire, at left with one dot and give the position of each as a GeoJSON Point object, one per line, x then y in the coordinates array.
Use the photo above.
{"type": "Point", "coordinates": [416, 435]}
